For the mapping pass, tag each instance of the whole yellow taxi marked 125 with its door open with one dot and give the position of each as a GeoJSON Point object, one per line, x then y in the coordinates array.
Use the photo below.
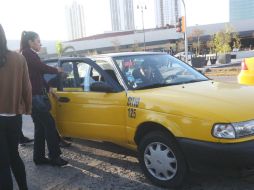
{"type": "Point", "coordinates": [177, 119]}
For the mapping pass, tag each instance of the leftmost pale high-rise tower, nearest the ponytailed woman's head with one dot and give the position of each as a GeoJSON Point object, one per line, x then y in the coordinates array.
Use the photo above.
{"type": "Point", "coordinates": [75, 21]}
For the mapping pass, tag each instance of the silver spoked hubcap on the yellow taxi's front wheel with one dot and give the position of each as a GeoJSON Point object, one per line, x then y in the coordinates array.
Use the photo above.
{"type": "Point", "coordinates": [160, 161]}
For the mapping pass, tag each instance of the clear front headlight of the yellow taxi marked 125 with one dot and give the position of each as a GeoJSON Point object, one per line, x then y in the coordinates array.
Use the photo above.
{"type": "Point", "coordinates": [233, 130]}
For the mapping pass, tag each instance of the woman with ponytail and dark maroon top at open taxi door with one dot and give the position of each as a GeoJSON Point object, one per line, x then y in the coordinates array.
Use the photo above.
{"type": "Point", "coordinates": [44, 123]}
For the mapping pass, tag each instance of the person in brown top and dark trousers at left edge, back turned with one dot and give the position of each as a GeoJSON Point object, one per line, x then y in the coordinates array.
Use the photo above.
{"type": "Point", "coordinates": [15, 100]}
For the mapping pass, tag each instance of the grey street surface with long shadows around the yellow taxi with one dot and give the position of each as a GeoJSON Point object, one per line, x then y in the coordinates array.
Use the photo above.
{"type": "Point", "coordinates": [98, 165]}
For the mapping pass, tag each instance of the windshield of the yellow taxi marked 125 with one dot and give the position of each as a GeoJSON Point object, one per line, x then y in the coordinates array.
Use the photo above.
{"type": "Point", "coordinates": [155, 70]}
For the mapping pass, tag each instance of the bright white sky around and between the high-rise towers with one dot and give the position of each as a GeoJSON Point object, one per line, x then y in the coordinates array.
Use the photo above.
{"type": "Point", "coordinates": [47, 17]}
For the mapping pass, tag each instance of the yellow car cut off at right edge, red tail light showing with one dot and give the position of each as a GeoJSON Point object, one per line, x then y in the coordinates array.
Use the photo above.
{"type": "Point", "coordinates": [246, 76]}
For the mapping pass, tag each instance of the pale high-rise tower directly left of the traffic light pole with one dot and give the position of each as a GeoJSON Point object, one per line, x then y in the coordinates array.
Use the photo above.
{"type": "Point", "coordinates": [167, 12]}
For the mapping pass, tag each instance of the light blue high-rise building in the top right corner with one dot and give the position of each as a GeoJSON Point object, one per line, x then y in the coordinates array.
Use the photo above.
{"type": "Point", "coordinates": [241, 9]}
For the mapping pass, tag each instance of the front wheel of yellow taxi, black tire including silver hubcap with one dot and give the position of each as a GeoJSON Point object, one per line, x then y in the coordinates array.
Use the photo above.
{"type": "Point", "coordinates": [162, 160]}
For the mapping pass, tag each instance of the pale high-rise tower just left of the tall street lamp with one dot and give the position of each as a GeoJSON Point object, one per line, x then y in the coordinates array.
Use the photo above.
{"type": "Point", "coordinates": [122, 15]}
